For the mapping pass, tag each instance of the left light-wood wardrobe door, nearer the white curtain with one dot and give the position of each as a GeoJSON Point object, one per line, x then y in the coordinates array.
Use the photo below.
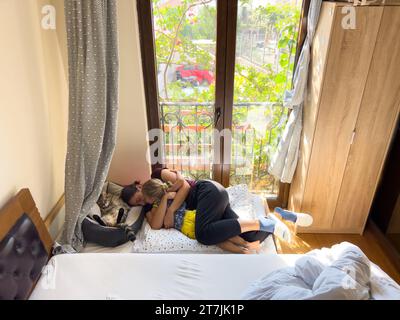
{"type": "Point", "coordinates": [348, 61]}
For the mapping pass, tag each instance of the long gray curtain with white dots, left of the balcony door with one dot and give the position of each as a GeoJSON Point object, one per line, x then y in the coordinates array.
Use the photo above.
{"type": "Point", "coordinates": [93, 105]}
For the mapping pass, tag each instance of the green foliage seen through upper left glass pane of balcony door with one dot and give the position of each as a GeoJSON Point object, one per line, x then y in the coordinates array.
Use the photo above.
{"type": "Point", "coordinates": [176, 32]}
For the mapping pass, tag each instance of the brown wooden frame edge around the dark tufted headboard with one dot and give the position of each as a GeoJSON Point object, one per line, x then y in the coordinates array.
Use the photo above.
{"type": "Point", "coordinates": [15, 208]}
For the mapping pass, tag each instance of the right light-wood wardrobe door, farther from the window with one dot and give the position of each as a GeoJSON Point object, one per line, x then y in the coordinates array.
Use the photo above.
{"type": "Point", "coordinates": [376, 122]}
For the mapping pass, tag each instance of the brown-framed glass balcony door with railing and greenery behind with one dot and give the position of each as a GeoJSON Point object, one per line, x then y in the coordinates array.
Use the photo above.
{"type": "Point", "coordinates": [215, 72]}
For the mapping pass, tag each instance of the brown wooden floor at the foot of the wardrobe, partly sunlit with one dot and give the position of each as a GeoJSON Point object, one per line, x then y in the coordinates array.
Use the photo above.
{"type": "Point", "coordinates": [371, 243]}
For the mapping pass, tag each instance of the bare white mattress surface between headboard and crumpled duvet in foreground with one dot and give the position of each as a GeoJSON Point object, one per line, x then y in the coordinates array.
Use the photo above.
{"type": "Point", "coordinates": [154, 276]}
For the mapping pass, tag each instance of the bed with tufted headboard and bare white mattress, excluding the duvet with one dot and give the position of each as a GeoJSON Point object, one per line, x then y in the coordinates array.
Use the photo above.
{"type": "Point", "coordinates": [28, 272]}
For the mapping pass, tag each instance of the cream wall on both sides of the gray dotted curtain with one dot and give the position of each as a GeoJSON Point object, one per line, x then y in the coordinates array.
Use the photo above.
{"type": "Point", "coordinates": [34, 102]}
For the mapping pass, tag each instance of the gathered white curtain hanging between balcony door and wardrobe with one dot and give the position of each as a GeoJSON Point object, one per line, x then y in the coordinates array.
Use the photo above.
{"type": "Point", "coordinates": [284, 161]}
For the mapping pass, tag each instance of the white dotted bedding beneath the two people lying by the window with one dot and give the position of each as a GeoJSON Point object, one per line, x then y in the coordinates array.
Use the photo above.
{"type": "Point", "coordinates": [243, 202]}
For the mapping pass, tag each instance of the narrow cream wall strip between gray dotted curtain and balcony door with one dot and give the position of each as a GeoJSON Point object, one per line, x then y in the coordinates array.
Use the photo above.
{"type": "Point", "coordinates": [129, 162]}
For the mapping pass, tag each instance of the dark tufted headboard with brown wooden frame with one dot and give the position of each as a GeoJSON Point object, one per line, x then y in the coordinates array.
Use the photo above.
{"type": "Point", "coordinates": [25, 246]}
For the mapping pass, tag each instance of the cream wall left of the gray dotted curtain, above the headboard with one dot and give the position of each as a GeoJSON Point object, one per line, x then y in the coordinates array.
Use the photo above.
{"type": "Point", "coordinates": [33, 105]}
